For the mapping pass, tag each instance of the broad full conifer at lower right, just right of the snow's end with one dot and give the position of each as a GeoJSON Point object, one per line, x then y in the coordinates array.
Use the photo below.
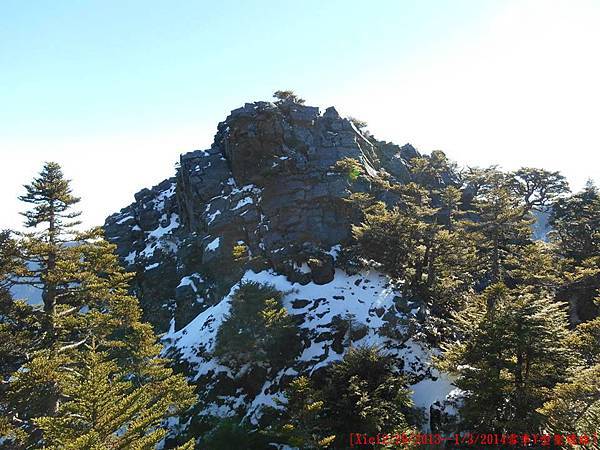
{"type": "Point", "coordinates": [512, 350]}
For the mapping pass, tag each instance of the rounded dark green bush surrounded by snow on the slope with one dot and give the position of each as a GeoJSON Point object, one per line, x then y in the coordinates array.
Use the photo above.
{"type": "Point", "coordinates": [258, 330]}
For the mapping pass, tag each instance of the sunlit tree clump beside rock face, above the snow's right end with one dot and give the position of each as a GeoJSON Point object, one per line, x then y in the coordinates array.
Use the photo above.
{"type": "Point", "coordinates": [434, 261]}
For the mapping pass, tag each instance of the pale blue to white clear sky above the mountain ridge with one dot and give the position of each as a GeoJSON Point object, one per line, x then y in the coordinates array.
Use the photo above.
{"type": "Point", "coordinates": [115, 90]}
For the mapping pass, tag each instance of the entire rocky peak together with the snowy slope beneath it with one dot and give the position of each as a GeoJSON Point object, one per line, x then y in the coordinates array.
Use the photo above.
{"type": "Point", "coordinates": [267, 203]}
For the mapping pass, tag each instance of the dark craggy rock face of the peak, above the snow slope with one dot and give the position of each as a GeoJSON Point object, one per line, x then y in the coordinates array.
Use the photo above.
{"type": "Point", "coordinates": [269, 185]}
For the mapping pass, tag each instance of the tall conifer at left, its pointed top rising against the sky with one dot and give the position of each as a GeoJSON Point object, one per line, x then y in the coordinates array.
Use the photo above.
{"type": "Point", "coordinates": [86, 301]}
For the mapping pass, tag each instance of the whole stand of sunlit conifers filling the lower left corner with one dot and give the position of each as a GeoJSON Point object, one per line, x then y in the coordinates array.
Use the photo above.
{"type": "Point", "coordinates": [88, 340]}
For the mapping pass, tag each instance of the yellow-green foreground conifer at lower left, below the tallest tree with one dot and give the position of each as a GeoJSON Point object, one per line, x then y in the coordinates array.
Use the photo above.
{"type": "Point", "coordinates": [104, 409]}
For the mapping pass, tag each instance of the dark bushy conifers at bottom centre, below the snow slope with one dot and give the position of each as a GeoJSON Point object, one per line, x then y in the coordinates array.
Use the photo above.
{"type": "Point", "coordinates": [364, 391]}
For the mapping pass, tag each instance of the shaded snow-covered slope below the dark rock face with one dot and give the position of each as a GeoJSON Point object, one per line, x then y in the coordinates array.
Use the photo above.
{"type": "Point", "coordinates": [368, 302]}
